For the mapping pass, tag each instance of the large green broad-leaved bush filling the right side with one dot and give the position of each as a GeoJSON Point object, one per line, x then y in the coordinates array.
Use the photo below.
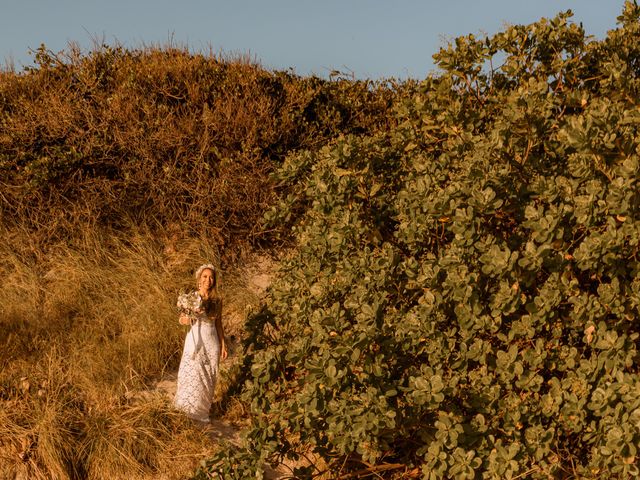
{"type": "Point", "coordinates": [463, 298]}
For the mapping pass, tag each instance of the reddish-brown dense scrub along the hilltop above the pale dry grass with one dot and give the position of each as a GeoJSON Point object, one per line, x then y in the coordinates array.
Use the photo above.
{"type": "Point", "coordinates": [162, 138]}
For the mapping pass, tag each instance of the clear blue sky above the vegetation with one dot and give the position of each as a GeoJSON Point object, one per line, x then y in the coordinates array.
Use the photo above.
{"type": "Point", "coordinates": [367, 38]}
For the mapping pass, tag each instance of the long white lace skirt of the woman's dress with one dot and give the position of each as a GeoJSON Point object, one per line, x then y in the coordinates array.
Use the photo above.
{"type": "Point", "coordinates": [198, 370]}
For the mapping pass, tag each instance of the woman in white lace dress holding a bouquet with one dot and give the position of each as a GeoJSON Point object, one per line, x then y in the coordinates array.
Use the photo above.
{"type": "Point", "coordinates": [204, 345]}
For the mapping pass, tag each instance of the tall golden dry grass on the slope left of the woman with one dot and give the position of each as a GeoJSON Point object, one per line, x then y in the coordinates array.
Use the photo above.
{"type": "Point", "coordinates": [81, 331]}
